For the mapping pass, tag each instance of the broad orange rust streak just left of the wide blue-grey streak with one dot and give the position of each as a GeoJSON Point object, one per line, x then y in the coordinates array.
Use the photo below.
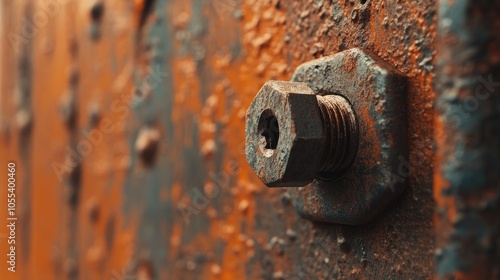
{"type": "Point", "coordinates": [110, 156]}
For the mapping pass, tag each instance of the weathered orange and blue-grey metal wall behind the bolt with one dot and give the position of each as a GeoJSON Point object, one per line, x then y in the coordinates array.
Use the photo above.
{"type": "Point", "coordinates": [126, 122]}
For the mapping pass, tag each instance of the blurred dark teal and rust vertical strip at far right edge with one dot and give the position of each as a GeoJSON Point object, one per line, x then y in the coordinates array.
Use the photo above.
{"type": "Point", "coordinates": [467, 185]}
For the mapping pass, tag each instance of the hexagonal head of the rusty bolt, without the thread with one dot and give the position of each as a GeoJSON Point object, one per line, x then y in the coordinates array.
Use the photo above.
{"type": "Point", "coordinates": [284, 134]}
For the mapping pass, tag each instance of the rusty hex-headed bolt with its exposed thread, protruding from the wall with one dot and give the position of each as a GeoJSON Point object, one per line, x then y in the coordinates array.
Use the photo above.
{"type": "Point", "coordinates": [294, 136]}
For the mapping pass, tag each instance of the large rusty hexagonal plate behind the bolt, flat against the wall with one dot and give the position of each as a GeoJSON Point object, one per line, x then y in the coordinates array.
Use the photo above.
{"type": "Point", "coordinates": [377, 93]}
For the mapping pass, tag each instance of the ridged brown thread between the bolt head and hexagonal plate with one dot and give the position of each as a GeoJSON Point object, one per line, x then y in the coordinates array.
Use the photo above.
{"type": "Point", "coordinates": [341, 136]}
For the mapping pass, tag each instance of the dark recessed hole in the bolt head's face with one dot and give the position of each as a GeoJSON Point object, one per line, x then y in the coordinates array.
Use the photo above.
{"type": "Point", "coordinates": [269, 132]}
